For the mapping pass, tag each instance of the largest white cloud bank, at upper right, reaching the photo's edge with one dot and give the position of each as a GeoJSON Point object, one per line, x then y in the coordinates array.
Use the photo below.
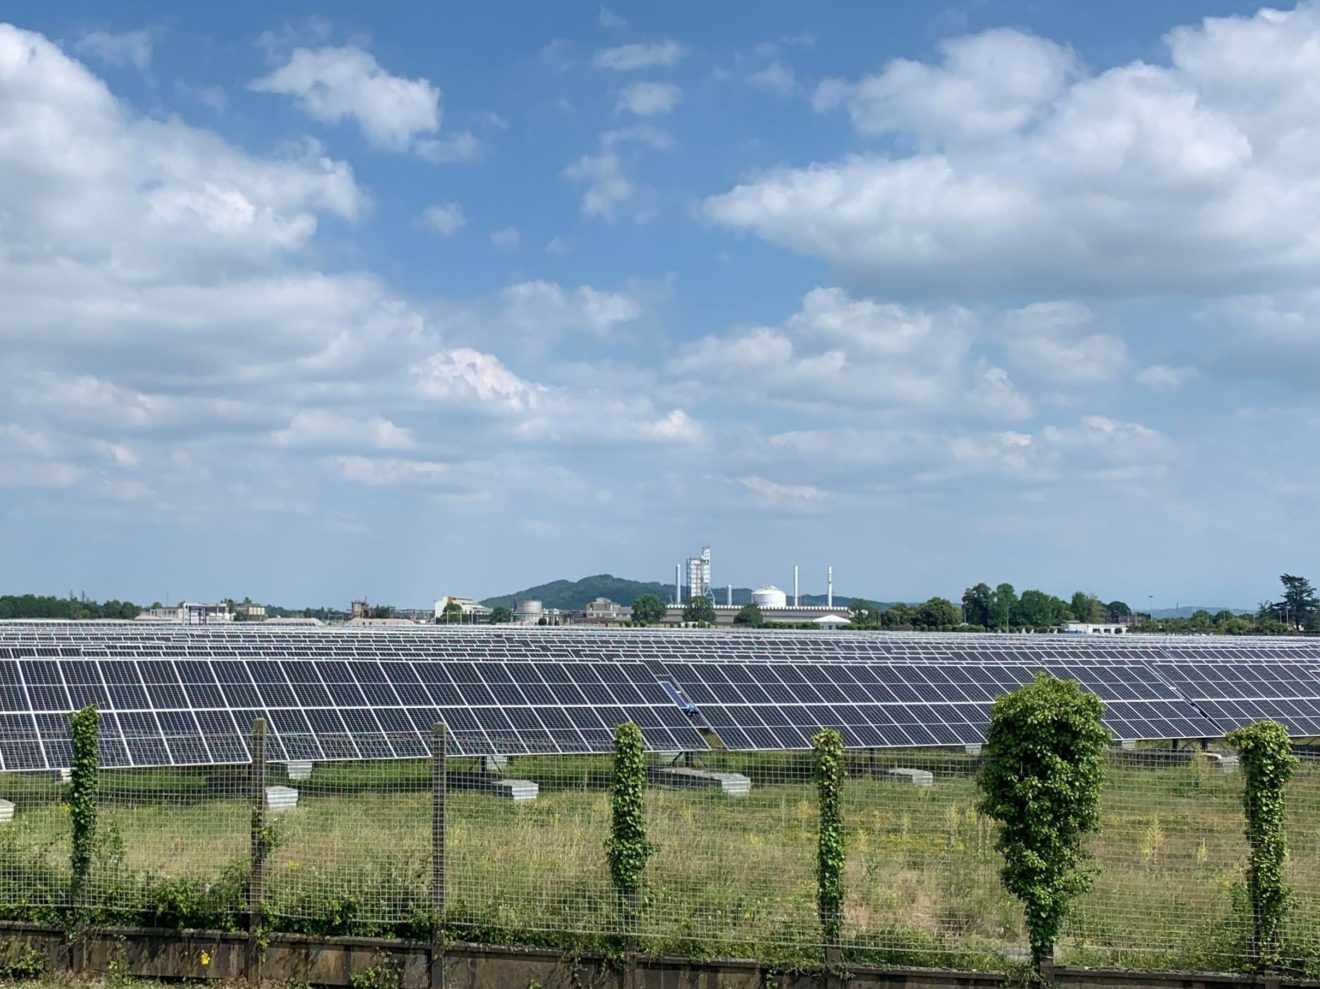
{"type": "Point", "coordinates": [1033, 176]}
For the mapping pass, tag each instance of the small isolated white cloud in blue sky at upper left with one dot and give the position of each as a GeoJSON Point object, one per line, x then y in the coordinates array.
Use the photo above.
{"type": "Point", "coordinates": [335, 84]}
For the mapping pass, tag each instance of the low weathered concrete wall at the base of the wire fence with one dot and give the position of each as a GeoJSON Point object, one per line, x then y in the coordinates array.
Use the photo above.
{"type": "Point", "coordinates": [335, 962]}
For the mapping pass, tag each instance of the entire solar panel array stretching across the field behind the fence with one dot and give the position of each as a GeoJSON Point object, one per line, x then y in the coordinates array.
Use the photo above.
{"type": "Point", "coordinates": [187, 695]}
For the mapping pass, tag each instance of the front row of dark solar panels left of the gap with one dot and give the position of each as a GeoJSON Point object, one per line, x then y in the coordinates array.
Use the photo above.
{"type": "Point", "coordinates": [199, 712]}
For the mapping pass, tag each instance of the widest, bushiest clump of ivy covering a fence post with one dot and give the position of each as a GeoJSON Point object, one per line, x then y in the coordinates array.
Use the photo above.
{"type": "Point", "coordinates": [1042, 780]}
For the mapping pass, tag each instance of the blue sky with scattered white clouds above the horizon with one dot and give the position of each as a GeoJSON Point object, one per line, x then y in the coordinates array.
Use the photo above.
{"type": "Point", "coordinates": [416, 299]}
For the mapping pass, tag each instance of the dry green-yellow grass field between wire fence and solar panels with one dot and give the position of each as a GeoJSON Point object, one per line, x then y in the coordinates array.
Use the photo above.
{"type": "Point", "coordinates": [728, 877]}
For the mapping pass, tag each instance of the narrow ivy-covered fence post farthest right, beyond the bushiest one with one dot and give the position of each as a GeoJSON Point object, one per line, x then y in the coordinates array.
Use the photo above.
{"type": "Point", "coordinates": [1268, 764]}
